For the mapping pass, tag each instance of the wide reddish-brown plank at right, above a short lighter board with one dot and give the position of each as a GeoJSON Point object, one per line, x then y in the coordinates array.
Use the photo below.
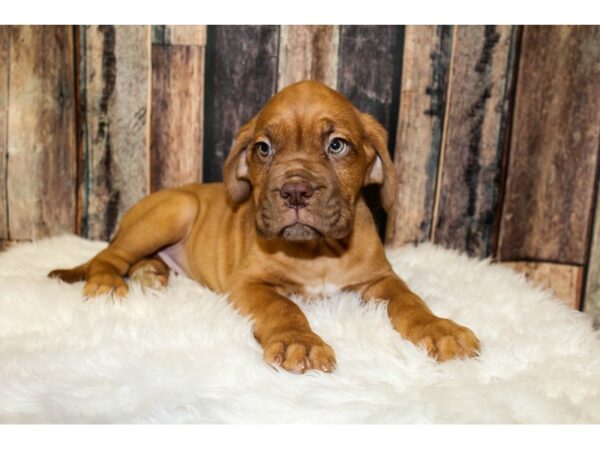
{"type": "Point", "coordinates": [554, 146]}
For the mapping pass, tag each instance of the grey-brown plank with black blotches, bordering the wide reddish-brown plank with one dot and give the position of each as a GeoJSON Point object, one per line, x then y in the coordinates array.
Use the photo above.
{"type": "Point", "coordinates": [474, 136]}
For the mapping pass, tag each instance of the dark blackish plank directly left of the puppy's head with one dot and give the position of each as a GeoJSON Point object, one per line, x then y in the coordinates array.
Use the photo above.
{"type": "Point", "coordinates": [241, 68]}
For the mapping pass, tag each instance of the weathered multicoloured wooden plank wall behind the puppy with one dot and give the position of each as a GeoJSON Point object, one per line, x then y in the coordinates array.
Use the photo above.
{"type": "Point", "coordinates": [495, 130]}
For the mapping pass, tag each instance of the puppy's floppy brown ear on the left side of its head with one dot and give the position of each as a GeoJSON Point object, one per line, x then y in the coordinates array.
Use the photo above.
{"type": "Point", "coordinates": [235, 169]}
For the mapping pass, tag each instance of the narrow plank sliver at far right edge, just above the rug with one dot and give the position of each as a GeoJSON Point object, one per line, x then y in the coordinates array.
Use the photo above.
{"type": "Point", "coordinates": [591, 301]}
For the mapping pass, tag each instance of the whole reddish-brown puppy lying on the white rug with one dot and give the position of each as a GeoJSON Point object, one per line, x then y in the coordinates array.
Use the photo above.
{"type": "Point", "coordinates": [288, 219]}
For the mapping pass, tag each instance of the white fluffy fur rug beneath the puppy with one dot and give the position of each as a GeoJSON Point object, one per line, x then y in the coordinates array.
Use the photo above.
{"type": "Point", "coordinates": [184, 355]}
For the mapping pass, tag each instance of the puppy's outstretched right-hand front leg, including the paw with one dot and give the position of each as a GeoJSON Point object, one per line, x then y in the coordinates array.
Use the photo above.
{"type": "Point", "coordinates": [410, 316]}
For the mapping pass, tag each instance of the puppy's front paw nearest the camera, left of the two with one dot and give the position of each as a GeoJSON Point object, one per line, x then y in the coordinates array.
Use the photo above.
{"type": "Point", "coordinates": [298, 351]}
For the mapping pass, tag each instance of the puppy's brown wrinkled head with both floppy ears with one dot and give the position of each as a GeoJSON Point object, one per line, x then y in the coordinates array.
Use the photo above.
{"type": "Point", "coordinates": [304, 159]}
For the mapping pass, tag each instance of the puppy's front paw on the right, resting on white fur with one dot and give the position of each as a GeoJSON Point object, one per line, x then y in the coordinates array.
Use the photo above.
{"type": "Point", "coordinates": [444, 339]}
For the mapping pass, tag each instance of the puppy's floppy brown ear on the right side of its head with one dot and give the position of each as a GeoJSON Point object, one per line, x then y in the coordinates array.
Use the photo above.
{"type": "Point", "coordinates": [382, 170]}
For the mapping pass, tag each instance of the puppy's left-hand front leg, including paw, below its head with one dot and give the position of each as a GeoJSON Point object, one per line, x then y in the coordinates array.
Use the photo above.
{"type": "Point", "coordinates": [282, 329]}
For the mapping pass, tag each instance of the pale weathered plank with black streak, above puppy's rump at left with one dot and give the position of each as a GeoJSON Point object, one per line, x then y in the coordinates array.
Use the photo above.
{"type": "Point", "coordinates": [117, 64]}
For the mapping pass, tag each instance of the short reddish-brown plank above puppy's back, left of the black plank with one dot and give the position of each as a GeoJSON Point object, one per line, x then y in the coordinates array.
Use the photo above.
{"type": "Point", "coordinates": [177, 115]}
